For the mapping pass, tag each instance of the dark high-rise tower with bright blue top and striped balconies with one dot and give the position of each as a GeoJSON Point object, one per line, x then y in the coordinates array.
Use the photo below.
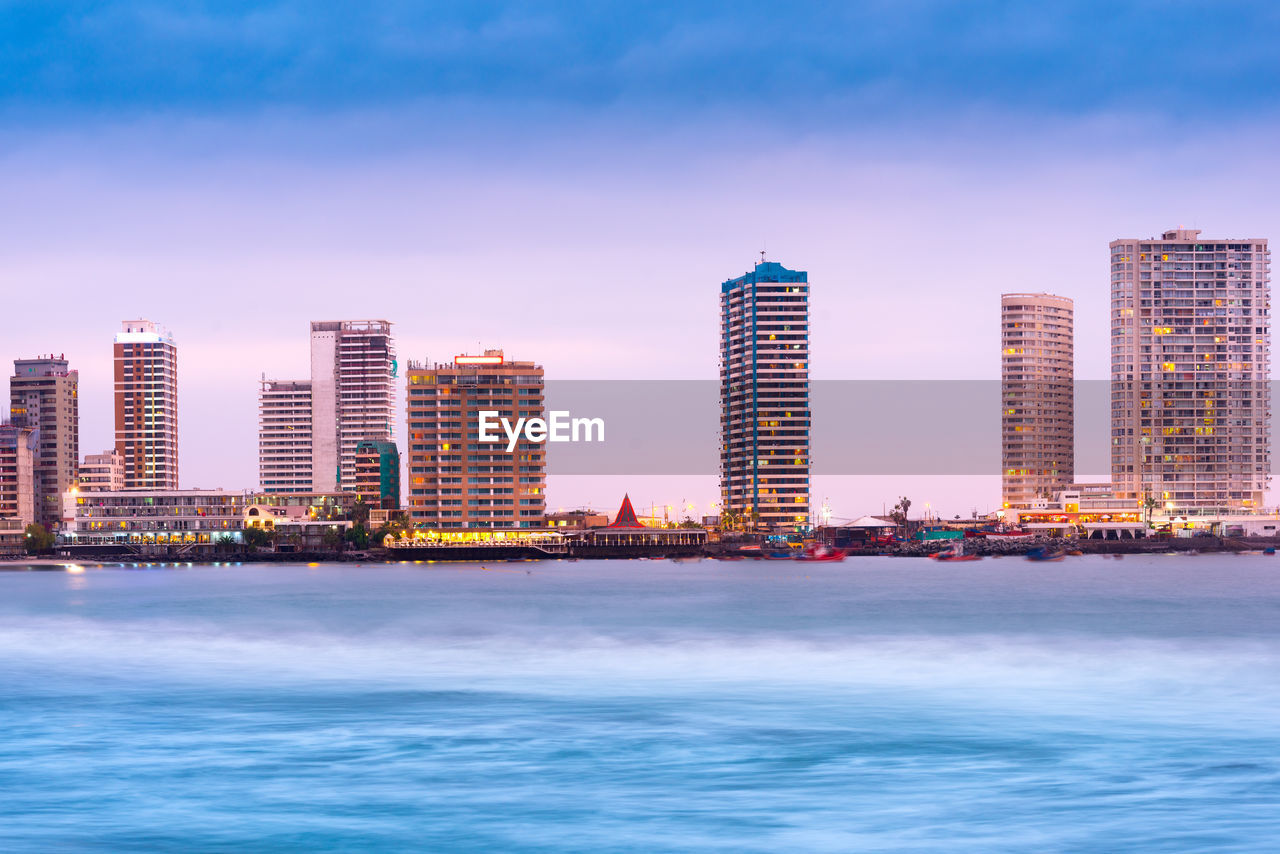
{"type": "Point", "coordinates": [765, 398]}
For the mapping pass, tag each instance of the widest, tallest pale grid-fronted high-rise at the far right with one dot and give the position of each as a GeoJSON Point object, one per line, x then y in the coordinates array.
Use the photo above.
{"type": "Point", "coordinates": [1191, 346]}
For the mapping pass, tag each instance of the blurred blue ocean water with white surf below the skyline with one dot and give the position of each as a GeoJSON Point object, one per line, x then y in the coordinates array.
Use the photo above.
{"type": "Point", "coordinates": [877, 705]}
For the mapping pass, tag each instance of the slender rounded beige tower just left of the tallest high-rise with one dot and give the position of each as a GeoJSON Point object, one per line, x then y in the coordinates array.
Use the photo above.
{"type": "Point", "coordinates": [1037, 398]}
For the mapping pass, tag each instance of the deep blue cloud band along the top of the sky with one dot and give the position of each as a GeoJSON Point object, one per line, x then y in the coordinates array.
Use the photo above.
{"type": "Point", "coordinates": [815, 63]}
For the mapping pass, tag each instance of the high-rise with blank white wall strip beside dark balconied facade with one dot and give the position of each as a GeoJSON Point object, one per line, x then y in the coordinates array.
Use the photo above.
{"type": "Point", "coordinates": [354, 371]}
